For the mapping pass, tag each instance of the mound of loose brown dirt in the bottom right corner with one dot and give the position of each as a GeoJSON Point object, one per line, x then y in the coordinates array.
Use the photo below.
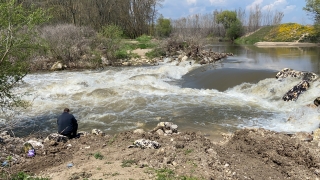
{"type": "Point", "coordinates": [262, 154]}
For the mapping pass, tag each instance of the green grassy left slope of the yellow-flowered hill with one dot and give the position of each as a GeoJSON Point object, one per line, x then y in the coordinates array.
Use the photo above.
{"type": "Point", "coordinates": [257, 36]}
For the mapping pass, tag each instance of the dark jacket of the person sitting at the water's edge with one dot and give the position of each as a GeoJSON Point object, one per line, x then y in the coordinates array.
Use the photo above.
{"type": "Point", "coordinates": [67, 124]}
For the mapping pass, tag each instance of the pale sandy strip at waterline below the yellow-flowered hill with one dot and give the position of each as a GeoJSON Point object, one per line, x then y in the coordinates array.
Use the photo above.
{"type": "Point", "coordinates": [286, 44]}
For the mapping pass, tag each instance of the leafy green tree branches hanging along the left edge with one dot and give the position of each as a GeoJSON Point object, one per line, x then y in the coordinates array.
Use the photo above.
{"type": "Point", "coordinates": [17, 43]}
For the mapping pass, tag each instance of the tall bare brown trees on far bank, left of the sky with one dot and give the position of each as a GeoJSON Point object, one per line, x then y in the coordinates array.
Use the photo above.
{"type": "Point", "coordinates": [135, 17]}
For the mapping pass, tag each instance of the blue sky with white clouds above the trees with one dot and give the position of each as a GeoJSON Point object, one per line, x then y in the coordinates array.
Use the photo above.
{"type": "Point", "coordinates": [292, 9]}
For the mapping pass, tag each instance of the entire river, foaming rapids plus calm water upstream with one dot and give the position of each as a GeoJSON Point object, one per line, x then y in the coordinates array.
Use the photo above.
{"type": "Point", "coordinates": [240, 91]}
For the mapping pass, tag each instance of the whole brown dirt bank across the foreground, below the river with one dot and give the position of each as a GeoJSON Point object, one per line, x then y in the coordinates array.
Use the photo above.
{"type": "Point", "coordinates": [247, 154]}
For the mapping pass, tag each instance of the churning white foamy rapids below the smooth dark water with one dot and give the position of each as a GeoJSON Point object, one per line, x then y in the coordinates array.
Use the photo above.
{"type": "Point", "coordinates": [127, 95]}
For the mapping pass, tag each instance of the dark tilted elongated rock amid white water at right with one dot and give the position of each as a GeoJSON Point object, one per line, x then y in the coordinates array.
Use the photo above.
{"type": "Point", "coordinates": [294, 93]}
